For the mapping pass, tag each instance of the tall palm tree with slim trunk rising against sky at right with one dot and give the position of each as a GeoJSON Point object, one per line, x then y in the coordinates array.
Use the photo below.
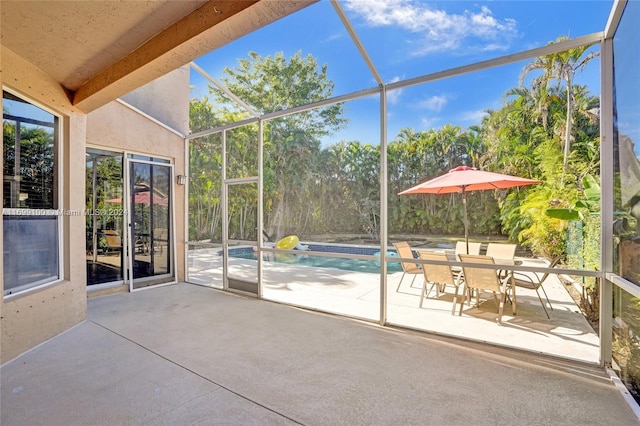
{"type": "Point", "coordinates": [562, 66]}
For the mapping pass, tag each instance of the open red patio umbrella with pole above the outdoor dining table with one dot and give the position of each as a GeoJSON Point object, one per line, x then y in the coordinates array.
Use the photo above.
{"type": "Point", "coordinates": [463, 179]}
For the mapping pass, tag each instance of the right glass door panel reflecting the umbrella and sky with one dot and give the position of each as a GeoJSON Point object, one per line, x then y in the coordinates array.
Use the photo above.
{"type": "Point", "coordinates": [150, 225]}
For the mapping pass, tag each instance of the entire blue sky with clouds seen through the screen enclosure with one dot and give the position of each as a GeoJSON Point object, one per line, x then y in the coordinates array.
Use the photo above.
{"type": "Point", "coordinates": [410, 38]}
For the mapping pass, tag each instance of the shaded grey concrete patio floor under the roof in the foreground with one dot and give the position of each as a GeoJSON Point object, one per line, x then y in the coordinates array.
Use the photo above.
{"type": "Point", "coordinates": [186, 354]}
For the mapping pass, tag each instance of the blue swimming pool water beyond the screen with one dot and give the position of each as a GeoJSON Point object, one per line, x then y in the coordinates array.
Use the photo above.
{"type": "Point", "coordinates": [303, 259]}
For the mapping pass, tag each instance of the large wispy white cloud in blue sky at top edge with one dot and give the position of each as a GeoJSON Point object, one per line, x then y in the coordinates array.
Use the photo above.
{"type": "Point", "coordinates": [437, 30]}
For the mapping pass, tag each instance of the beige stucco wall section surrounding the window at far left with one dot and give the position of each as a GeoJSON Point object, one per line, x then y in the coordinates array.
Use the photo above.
{"type": "Point", "coordinates": [32, 317]}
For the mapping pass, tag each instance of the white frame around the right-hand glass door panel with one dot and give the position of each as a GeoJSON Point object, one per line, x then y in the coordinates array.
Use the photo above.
{"type": "Point", "coordinates": [129, 226]}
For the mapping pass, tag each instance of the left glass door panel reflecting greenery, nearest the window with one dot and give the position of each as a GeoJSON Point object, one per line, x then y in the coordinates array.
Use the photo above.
{"type": "Point", "coordinates": [104, 218]}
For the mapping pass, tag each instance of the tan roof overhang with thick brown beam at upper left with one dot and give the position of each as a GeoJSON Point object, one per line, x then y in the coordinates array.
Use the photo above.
{"type": "Point", "coordinates": [101, 50]}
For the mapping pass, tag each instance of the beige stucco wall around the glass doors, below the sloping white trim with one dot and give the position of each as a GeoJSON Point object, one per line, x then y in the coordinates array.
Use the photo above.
{"type": "Point", "coordinates": [117, 128]}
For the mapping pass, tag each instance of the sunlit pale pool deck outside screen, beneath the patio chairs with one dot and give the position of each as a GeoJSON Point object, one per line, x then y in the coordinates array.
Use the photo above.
{"type": "Point", "coordinates": [567, 334]}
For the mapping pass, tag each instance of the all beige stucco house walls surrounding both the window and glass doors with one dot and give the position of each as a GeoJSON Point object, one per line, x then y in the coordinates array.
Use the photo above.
{"type": "Point", "coordinates": [32, 317]}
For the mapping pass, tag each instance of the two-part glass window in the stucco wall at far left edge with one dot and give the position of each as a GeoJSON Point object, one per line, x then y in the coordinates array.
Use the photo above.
{"type": "Point", "coordinates": [29, 195]}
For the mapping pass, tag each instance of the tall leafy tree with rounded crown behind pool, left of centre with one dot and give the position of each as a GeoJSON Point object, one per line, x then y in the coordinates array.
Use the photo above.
{"type": "Point", "coordinates": [269, 84]}
